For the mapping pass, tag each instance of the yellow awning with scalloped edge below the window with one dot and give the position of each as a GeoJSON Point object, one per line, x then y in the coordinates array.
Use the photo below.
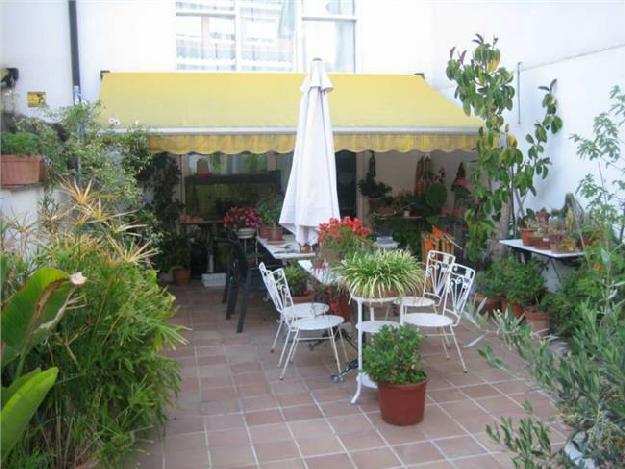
{"type": "Point", "coordinates": [258, 112]}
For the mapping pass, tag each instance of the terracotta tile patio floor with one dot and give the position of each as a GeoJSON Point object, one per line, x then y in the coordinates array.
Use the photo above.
{"type": "Point", "coordinates": [233, 411]}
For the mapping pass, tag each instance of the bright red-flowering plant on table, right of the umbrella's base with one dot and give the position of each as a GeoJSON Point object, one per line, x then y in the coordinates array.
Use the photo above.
{"type": "Point", "coordinates": [340, 238]}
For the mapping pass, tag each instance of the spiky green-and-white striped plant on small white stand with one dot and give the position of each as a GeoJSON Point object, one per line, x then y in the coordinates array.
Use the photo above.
{"type": "Point", "coordinates": [381, 274]}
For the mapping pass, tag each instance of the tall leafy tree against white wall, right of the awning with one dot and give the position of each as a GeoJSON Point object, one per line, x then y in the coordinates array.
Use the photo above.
{"type": "Point", "coordinates": [502, 174]}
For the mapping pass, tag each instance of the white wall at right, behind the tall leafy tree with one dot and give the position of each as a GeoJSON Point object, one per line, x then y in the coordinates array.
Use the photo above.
{"type": "Point", "coordinates": [581, 44]}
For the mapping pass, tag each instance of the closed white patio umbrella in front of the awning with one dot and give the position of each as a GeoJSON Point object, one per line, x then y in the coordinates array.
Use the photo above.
{"type": "Point", "coordinates": [311, 196]}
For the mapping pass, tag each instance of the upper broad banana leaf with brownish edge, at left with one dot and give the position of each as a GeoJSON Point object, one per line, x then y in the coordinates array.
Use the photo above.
{"type": "Point", "coordinates": [31, 313]}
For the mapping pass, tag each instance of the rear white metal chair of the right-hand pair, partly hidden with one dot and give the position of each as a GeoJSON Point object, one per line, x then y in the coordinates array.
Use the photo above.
{"type": "Point", "coordinates": [437, 268]}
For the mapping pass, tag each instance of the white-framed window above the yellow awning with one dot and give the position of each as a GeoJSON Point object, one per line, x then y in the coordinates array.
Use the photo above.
{"type": "Point", "coordinates": [265, 35]}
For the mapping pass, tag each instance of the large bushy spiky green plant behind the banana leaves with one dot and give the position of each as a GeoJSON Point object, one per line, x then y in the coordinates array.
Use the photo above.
{"type": "Point", "coordinates": [114, 382]}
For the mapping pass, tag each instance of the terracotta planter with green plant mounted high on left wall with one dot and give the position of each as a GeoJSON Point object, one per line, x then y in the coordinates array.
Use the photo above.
{"type": "Point", "coordinates": [21, 160]}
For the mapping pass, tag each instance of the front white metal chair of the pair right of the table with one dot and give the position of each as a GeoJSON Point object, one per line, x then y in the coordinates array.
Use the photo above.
{"type": "Point", "coordinates": [459, 284]}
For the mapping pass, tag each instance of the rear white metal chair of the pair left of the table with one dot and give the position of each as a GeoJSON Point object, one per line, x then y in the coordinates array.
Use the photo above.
{"type": "Point", "coordinates": [288, 311]}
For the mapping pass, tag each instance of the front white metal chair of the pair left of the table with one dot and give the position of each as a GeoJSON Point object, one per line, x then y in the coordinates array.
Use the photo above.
{"type": "Point", "coordinates": [298, 326]}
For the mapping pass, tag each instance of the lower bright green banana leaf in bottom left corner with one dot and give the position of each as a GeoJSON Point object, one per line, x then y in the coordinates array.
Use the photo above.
{"type": "Point", "coordinates": [20, 401]}
